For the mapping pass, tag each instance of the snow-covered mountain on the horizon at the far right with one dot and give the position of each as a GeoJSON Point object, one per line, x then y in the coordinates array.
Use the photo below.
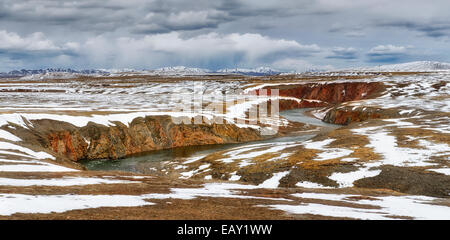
{"type": "Point", "coordinates": [419, 66]}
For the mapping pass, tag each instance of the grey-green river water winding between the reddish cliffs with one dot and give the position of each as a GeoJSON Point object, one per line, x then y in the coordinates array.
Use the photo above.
{"type": "Point", "coordinates": [153, 159]}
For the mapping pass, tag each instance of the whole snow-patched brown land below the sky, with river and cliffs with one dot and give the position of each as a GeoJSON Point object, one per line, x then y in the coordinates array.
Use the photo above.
{"type": "Point", "coordinates": [360, 143]}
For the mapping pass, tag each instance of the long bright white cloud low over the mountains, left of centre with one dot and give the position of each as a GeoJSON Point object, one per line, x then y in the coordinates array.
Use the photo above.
{"type": "Point", "coordinates": [206, 49]}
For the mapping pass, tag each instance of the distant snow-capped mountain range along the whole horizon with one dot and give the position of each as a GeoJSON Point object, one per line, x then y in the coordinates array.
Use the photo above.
{"type": "Point", "coordinates": [419, 66]}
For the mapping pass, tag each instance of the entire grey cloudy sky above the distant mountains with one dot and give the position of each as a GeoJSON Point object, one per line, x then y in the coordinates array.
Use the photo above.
{"type": "Point", "coordinates": [282, 34]}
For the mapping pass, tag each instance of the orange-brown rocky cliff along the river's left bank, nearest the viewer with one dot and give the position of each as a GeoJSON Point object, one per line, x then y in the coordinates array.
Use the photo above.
{"type": "Point", "coordinates": [96, 141]}
